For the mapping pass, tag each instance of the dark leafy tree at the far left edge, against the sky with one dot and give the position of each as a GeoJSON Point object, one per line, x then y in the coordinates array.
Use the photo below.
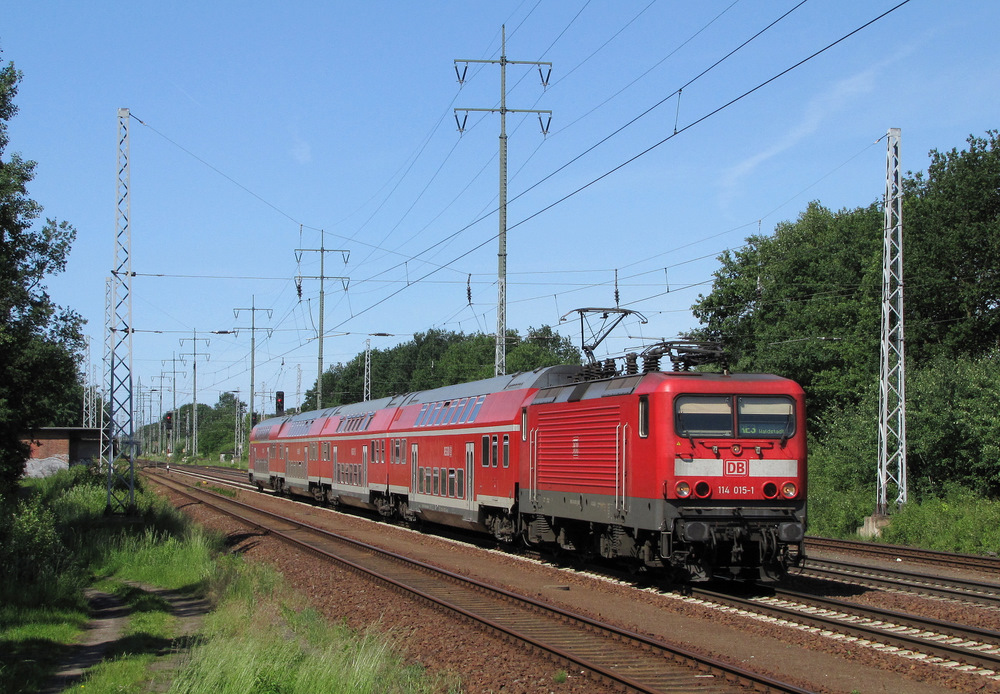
{"type": "Point", "coordinates": [40, 342]}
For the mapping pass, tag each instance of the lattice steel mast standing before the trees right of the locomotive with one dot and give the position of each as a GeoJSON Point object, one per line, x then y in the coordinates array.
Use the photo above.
{"type": "Point", "coordinates": [892, 372]}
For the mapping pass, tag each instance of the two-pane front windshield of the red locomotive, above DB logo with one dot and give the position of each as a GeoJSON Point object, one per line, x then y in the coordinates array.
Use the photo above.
{"type": "Point", "coordinates": [719, 416]}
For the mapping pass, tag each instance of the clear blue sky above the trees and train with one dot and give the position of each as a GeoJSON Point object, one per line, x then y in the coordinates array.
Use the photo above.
{"type": "Point", "coordinates": [260, 126]}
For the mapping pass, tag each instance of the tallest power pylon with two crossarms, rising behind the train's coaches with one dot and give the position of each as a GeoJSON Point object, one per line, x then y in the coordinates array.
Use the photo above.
{"type": "Point", "coordinates": [500, 361]}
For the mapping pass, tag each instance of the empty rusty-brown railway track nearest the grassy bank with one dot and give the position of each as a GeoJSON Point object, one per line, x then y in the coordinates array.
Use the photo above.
{"type": "Point", "coordinates": [613, 655]}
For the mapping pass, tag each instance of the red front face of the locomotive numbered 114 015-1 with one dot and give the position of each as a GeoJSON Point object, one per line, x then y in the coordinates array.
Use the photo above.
{"type": "Point", "coordinates": [735, 477]}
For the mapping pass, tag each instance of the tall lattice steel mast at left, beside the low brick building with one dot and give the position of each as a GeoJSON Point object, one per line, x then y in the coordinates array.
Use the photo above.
{"type": "Point", "coordinates": [118, 445]}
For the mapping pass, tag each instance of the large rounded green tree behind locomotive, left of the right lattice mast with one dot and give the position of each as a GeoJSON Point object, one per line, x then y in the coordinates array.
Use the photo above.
{"type": "Point", "coordinates": [803, 303]}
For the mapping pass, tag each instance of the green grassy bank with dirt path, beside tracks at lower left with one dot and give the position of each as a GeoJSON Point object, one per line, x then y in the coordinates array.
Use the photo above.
{"type": "Point", "coordinates": [55, 541]}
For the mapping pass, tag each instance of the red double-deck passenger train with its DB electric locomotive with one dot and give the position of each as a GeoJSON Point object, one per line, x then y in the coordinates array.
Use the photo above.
{"type": "Point", "coordinates": [702, 474]}
